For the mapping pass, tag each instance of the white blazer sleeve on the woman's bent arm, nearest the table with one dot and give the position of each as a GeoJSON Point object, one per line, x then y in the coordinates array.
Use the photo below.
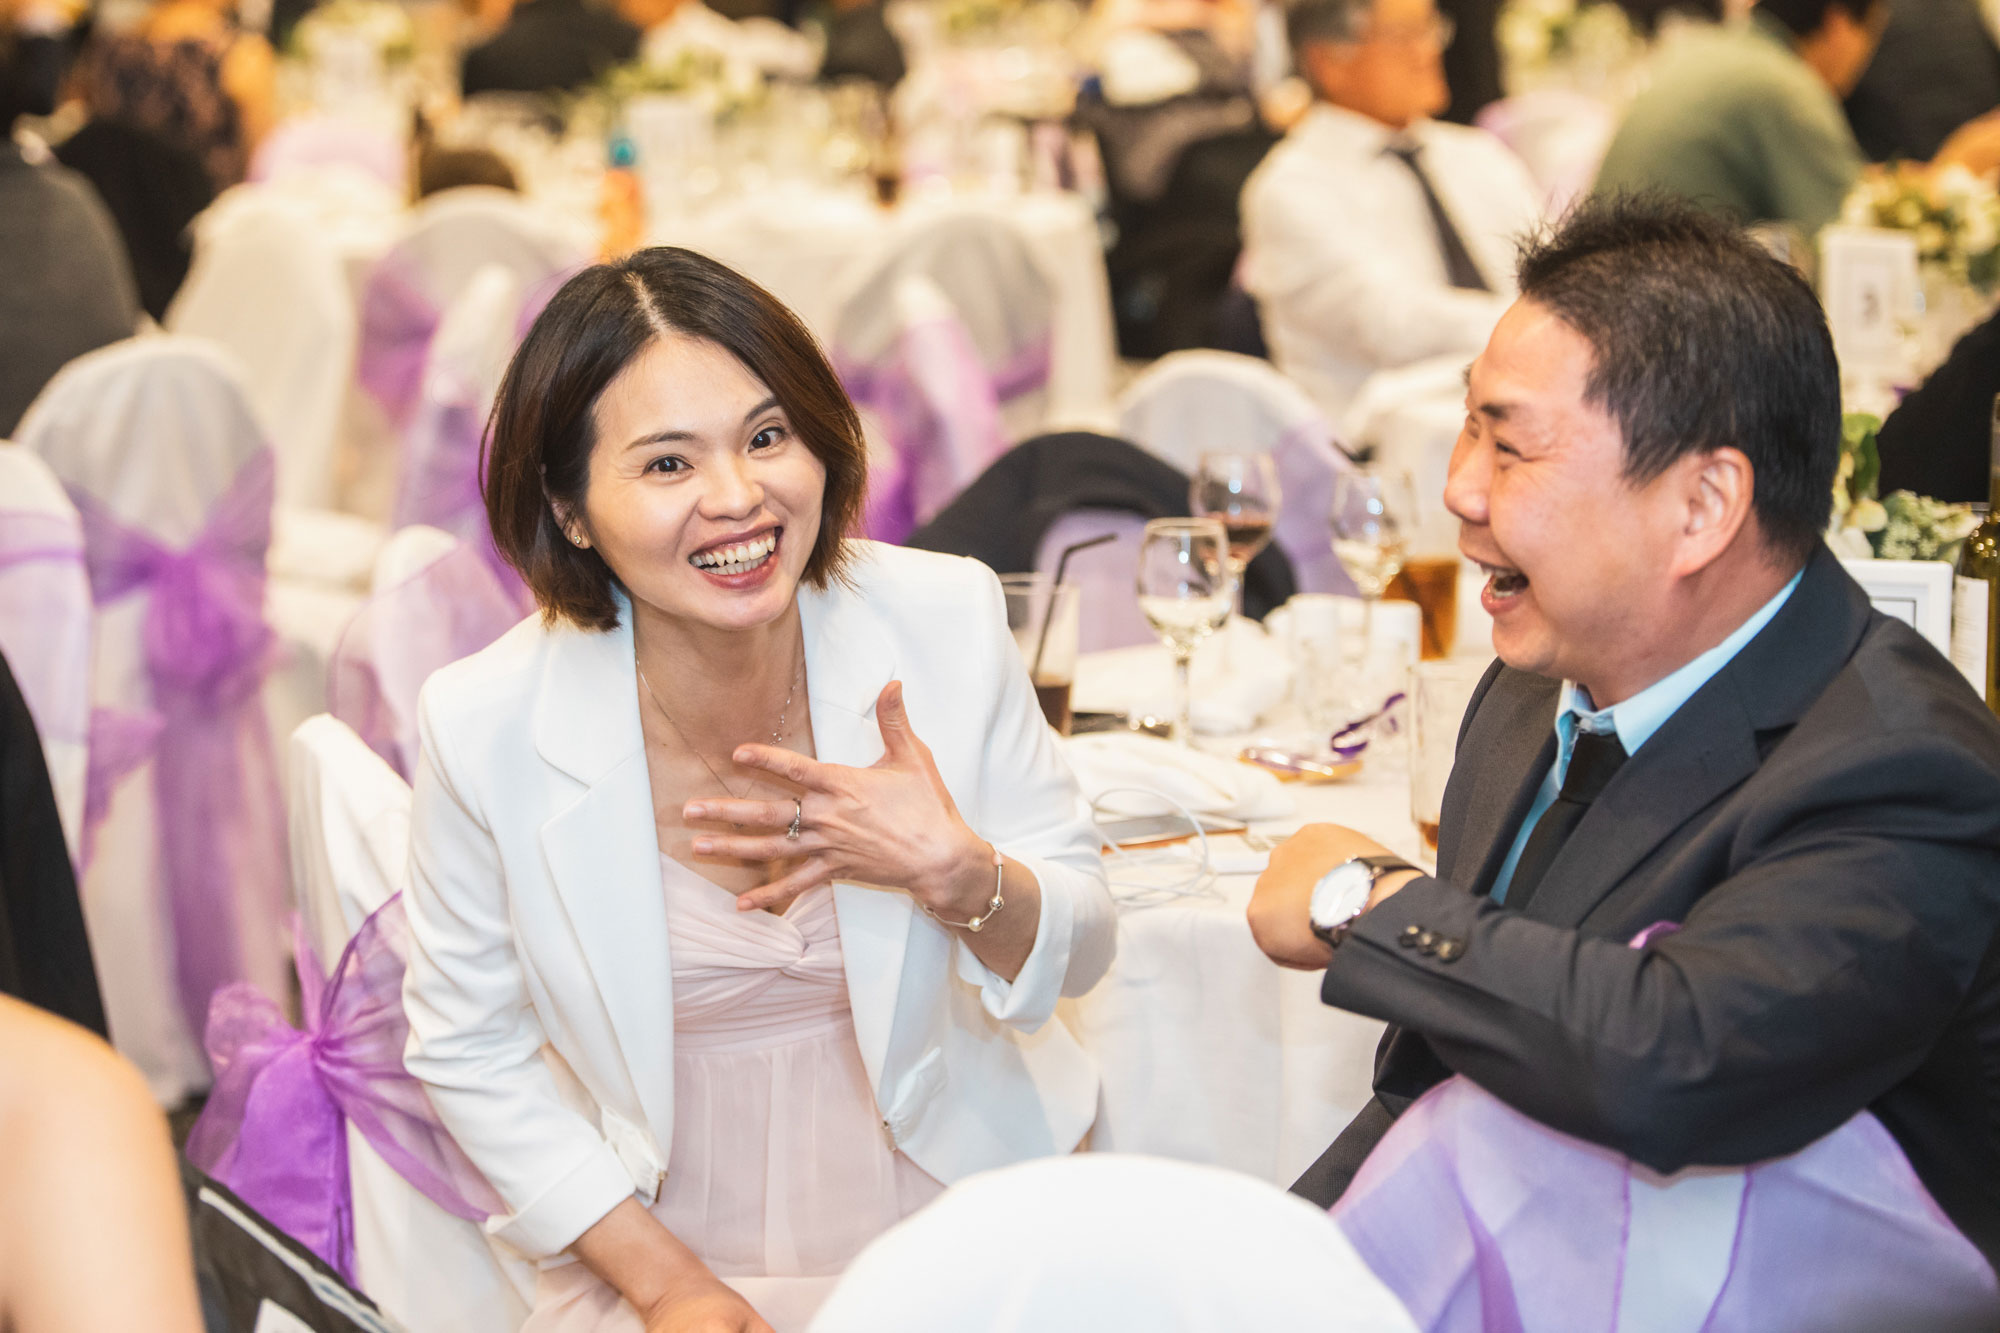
{"type": "Point", "coordinates": [1033, 810]}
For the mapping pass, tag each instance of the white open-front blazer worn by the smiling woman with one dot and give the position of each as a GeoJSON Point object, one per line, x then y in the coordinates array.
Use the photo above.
{"type": "Point", "coordinates": [539, 990]}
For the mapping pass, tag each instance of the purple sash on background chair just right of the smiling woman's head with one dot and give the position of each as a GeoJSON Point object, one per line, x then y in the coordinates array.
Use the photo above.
{"type": "Point", "coordinates": [941, 407]}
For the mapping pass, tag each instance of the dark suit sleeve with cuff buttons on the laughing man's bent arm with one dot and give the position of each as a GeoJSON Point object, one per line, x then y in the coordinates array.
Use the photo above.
{"type": "Point", "coordinates": [1805, 986]}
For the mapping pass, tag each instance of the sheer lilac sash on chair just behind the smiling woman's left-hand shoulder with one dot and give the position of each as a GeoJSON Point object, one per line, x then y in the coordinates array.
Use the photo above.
{"type": "Point", "coordinates": [451, 609]}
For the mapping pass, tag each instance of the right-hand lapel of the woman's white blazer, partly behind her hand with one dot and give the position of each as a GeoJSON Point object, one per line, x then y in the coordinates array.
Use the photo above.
{"type": "Point", "coordinates": [849, 659]}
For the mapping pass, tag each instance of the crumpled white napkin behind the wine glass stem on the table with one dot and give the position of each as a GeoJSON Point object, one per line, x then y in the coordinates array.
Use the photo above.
{"type": "Point", "coordinates": [1239, 678]}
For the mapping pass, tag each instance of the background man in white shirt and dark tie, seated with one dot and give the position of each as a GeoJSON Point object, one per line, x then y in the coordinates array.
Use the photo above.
{"type": "Point", "coordinates": [1373, 235]}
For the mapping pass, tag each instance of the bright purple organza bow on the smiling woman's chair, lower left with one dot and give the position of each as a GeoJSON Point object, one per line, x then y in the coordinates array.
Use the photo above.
{"type": "Point", "coordinates": [275, 1128]}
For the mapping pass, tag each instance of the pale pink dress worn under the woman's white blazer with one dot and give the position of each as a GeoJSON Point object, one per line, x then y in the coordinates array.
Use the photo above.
{"type": "Point", "coordinates": [779, 1172]}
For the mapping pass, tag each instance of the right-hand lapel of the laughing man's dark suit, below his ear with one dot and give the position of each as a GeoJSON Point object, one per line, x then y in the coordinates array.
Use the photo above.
{"type": "Point", "coordinates": [1711, 744]}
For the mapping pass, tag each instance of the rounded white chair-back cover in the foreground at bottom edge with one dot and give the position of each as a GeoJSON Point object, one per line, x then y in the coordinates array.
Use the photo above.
{"type": "Point", "coordinates": [1111, 1242]}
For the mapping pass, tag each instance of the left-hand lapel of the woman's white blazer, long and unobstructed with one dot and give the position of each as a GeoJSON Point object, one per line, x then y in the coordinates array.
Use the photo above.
{"type": "Point", "coordinates": [603, 852]}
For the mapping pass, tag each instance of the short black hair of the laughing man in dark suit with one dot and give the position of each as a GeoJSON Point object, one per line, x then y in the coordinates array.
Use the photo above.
{"type": "Point", "coordinates": [1699, 339]}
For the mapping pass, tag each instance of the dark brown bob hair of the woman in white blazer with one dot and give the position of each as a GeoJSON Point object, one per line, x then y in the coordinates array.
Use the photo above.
{"type": "Point", "coordinates": [543, 425]}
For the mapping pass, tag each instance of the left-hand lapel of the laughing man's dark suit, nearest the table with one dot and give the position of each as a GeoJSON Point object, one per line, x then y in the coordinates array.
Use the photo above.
{"type": "Point", "coordinates": [1509, 752]}
